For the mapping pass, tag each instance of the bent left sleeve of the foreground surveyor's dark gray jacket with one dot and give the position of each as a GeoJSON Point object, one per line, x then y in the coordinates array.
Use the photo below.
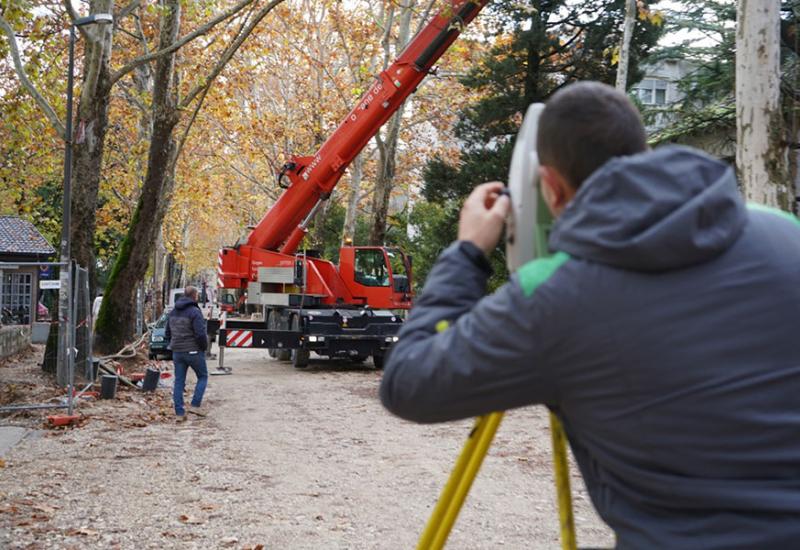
{"type": "Point", "coordinates": [489, 359]}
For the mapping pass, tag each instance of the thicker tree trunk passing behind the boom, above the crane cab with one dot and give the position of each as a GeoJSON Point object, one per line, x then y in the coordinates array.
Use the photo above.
{"type": "Point", "coordinates": [387, 148]}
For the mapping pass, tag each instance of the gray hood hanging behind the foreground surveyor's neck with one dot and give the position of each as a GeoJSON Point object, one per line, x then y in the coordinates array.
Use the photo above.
{"type": "Point", "coordinates": [659, 210]}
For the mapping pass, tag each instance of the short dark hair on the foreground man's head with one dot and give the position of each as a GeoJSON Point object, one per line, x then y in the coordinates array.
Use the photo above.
{"type": "Point", "coordinates": [584, 125]}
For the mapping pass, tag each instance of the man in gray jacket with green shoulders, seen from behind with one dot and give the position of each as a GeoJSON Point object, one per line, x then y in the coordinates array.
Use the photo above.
{"type": "Point", "coordinates": [660, 332]}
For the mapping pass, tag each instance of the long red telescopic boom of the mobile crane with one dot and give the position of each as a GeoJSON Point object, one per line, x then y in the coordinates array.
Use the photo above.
{"type": "Point", "coordinates": [312, 178]}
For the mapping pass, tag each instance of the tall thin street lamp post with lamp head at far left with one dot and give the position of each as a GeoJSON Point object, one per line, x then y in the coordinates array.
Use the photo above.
{"type": "Point", "coordinates": [65, 306]}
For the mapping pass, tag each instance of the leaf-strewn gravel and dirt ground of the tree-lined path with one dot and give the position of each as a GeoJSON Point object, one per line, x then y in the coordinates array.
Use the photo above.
{"type": "Point", "coordinates": [286, 459]}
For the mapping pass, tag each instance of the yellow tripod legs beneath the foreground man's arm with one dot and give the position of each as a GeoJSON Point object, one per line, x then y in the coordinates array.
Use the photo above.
{"type": "Point", "coordinates": [466, 468]}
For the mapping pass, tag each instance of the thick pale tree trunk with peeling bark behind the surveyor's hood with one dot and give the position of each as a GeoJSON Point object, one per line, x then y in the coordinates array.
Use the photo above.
{"type": "Point", "coordinates": [761, 154]}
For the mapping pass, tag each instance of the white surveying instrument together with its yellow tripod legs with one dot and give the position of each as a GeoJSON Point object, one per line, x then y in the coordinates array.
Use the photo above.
{"type": "Point", "coordinates": [526, 239]}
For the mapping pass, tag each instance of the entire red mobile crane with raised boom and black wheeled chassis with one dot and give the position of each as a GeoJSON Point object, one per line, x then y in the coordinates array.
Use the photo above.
{"type": "Point", "coordinates": [310, 304]}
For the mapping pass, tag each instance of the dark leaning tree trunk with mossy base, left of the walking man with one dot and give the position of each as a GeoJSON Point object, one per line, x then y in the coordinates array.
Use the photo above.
{"type": "Point", "coordinates": [116, 321]}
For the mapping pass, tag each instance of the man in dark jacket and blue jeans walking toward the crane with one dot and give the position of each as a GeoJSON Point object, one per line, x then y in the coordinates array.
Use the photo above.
{"type": "Point", "coordinates": [186, 333]}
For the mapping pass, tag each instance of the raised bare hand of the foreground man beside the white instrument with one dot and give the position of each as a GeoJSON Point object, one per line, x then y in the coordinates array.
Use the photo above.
{"type": "Point", "coordinates": [483, 216]}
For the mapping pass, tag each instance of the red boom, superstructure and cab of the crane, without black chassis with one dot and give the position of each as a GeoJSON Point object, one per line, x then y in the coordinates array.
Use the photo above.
{"type": "Point", "coordinates": [274, 241]}
